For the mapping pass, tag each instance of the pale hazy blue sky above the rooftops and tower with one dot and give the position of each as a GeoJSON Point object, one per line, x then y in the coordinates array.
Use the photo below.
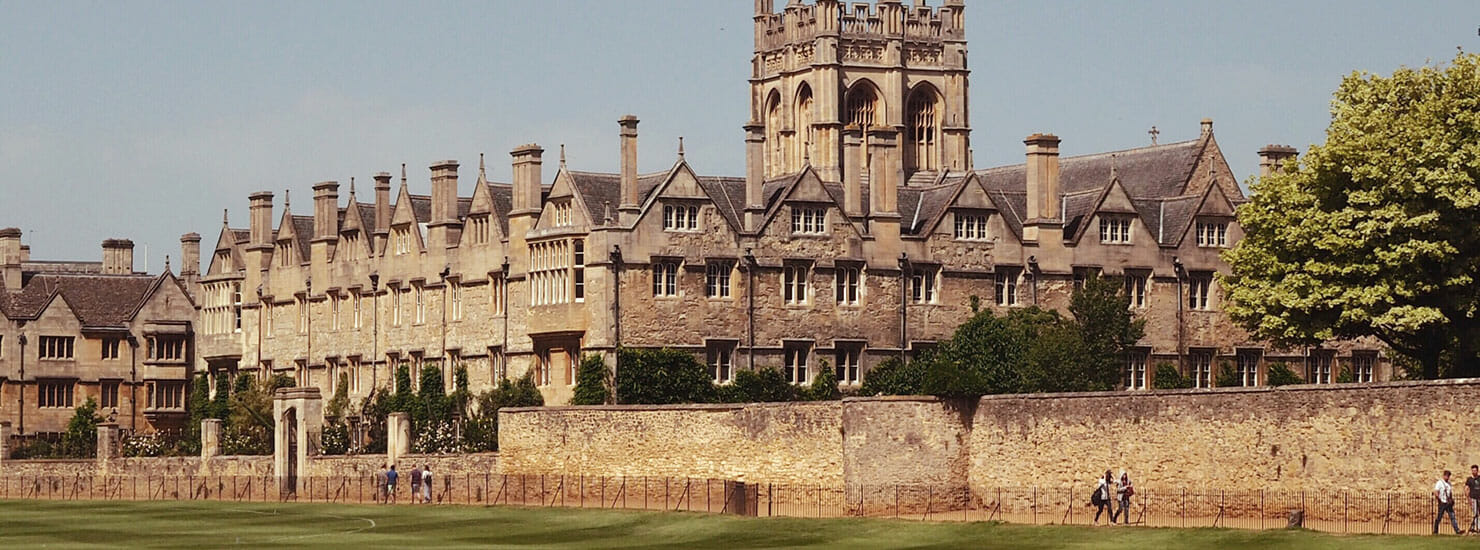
{"type": "Point", "coordinates": [146, 119]}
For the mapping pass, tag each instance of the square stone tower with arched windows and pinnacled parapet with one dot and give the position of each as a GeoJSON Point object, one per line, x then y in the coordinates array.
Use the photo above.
{"type": "Point", "coordinates": [831, 79]}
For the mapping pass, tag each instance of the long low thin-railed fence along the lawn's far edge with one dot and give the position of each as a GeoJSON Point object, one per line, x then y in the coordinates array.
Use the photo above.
{"type": "Point", "coordinates": [1410, 514]}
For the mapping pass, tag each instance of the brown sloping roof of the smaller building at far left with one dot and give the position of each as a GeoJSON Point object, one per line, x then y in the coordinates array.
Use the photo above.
{"type": "Point", "coordinates": [100, 301]}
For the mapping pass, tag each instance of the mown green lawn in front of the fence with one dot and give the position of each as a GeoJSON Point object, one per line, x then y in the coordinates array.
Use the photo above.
{"type": "Point", "coordinates": [211, 526]}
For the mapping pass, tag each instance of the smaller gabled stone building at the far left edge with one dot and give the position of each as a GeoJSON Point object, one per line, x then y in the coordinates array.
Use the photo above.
{"type": "Point", "coordinates": [78, 330]}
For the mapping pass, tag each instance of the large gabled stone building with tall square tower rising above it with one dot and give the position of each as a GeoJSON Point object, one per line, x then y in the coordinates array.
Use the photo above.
{"type": "Point", "coordinates": [861, 231]}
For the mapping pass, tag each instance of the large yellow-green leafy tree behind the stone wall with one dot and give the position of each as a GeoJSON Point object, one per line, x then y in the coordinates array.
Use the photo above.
{"type": "Point", "coordinates": [1374, 231]}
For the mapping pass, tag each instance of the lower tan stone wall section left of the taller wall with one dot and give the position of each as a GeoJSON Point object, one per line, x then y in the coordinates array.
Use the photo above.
{"type": "Point", "coordinates": [758, 443]}
